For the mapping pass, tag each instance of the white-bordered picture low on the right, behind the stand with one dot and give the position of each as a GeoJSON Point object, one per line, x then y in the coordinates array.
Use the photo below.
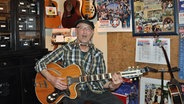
{"type": "Point", "coordinates": [150, 91]}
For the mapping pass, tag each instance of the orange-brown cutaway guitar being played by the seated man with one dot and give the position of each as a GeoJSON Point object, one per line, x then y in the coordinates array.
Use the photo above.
{"type": "Point", "coordinates": [47, 94]}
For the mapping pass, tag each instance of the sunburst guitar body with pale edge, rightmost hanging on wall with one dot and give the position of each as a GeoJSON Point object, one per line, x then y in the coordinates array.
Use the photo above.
{"type": "Point", "coordinates": [88, 9]}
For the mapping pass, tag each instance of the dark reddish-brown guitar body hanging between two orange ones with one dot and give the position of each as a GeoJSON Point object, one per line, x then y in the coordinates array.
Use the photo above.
{"type": "Point", "coordinates": [71, 13]}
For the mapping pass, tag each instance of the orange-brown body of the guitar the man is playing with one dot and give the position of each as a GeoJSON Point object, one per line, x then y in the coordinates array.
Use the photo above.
{"type": "Point", "coordinates": [44, 90]}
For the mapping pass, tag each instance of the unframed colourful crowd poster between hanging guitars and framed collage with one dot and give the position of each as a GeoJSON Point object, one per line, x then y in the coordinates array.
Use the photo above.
{"type": "Point", "coordinates": [114, 15]}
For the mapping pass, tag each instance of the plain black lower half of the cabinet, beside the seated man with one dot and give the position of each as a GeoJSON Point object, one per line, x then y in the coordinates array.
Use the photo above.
{"type": "Point", "coordinates": [17, 76]}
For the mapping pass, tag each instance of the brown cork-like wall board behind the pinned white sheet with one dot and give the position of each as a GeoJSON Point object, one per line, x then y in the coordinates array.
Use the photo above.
{"type": "Point", "coordinates": [121, 48]}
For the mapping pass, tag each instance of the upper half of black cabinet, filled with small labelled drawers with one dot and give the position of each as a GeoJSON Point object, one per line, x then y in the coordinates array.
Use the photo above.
{"type": "Point", "coordinates": [21, 24]}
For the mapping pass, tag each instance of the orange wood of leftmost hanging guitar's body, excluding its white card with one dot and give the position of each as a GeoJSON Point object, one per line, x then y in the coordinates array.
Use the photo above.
{"type": "Point", "coordinates": [52, 21]}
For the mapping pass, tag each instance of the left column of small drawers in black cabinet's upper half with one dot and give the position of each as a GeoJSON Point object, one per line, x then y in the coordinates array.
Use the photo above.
{"type": "Point", "coordinates": [6, 31]}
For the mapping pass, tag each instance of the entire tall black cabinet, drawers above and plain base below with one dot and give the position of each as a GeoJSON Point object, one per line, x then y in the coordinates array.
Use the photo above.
{"type": "Point", "coordinates": [22, 43]}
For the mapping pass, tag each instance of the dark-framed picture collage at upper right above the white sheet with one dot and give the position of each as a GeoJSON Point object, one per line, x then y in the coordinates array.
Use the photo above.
{"type": "Point", "coordinates": [154, 16]}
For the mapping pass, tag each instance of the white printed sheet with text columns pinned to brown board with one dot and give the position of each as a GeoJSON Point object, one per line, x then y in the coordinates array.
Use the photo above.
{"type": "Point", "coordinates": [148, 51]}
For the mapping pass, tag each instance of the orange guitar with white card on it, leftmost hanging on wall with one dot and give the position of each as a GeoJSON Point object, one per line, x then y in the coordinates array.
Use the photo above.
{"type": "Point", "coordinates": [52, 20]}
